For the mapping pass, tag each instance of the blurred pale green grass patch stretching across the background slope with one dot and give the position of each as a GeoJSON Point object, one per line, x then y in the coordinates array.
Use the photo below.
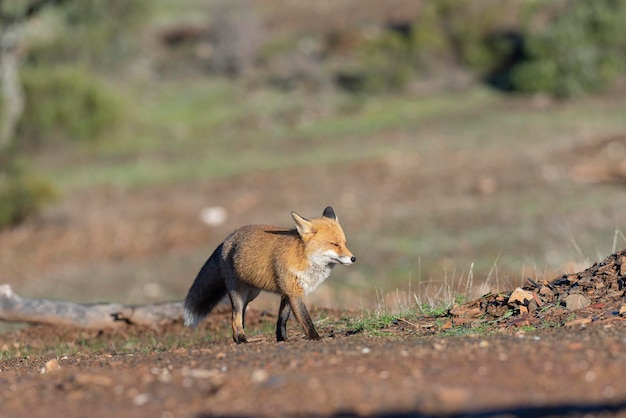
{"type": "Point", "coordinates": [214, 128]}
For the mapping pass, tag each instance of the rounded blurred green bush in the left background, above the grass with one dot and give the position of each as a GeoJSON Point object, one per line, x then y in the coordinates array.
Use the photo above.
{"type": "Point", "coordinates": [67, 103]}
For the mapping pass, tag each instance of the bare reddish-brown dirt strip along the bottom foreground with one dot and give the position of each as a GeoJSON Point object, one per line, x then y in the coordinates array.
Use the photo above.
{"type": "Point", "coordinates": [574, 371]}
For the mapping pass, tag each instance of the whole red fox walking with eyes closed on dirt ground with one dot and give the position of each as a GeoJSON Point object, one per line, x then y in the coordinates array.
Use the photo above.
{"type": "Point", "coordinates": [289, 262]}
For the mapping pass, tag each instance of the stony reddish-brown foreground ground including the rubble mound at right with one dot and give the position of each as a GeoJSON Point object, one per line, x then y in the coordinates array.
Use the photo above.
{"type": "Point", "coordinates": [500, 355]}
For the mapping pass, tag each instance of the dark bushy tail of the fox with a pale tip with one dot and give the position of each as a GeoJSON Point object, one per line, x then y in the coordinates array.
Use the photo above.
{"type": "Point", "coordinates": [206, 292]}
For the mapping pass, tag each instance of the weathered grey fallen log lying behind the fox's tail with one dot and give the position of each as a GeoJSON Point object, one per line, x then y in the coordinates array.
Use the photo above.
{"type": "Point", "coordinates": [14, 308]}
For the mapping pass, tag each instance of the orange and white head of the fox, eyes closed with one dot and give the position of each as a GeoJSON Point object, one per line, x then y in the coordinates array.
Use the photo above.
{"type": "Point", "coordinates": [324, 239]}
